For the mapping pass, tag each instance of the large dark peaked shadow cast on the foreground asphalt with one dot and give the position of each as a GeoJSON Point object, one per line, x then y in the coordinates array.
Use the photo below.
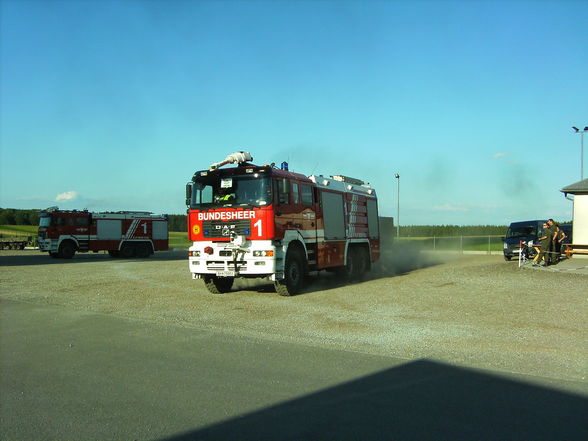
{"type": "Point", "coordinates": [422, 400]}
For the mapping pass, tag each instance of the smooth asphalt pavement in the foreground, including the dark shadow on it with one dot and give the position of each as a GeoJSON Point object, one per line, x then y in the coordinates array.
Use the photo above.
{"type": "Point", "coordinates": [74, 374]}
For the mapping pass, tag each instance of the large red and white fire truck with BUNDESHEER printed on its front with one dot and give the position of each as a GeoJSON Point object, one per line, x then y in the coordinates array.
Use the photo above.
{"type": "Point", "coordinates": [261, 221]}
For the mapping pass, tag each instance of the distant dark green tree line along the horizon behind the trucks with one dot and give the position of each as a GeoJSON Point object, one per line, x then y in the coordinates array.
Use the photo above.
{"type": "Point", "coordinates": [178, 223]}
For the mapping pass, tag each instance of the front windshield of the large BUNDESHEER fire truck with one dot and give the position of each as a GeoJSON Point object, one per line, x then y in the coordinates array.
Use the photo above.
{"type": "Point", "coordinates": [251, 190]}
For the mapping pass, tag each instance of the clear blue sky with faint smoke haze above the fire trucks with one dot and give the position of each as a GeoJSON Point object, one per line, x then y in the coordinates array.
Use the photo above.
{"type": "Point", "coordinates": [112, 105]}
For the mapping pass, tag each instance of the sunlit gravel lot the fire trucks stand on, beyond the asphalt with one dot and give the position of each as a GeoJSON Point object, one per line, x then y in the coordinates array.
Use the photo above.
{"type": "Point", "coordinates": [476, 311]}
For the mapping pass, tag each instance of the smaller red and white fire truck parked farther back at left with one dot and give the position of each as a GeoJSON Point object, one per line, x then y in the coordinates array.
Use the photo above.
{"type": "Point", "coordinates": [124, 233]}
